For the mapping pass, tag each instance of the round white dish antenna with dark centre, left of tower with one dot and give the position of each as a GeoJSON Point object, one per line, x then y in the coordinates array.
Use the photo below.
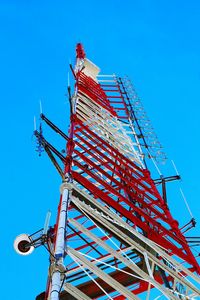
{"type": "Point", "coordinates": [22, 244]}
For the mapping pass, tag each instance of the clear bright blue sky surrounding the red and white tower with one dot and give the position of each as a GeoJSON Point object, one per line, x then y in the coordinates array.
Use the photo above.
{"type": "Point", "coordinates": [157, 43]}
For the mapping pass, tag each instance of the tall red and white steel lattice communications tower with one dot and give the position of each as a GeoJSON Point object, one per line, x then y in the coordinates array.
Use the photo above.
{"type": "Point", "coordinates": [114, 237]}
